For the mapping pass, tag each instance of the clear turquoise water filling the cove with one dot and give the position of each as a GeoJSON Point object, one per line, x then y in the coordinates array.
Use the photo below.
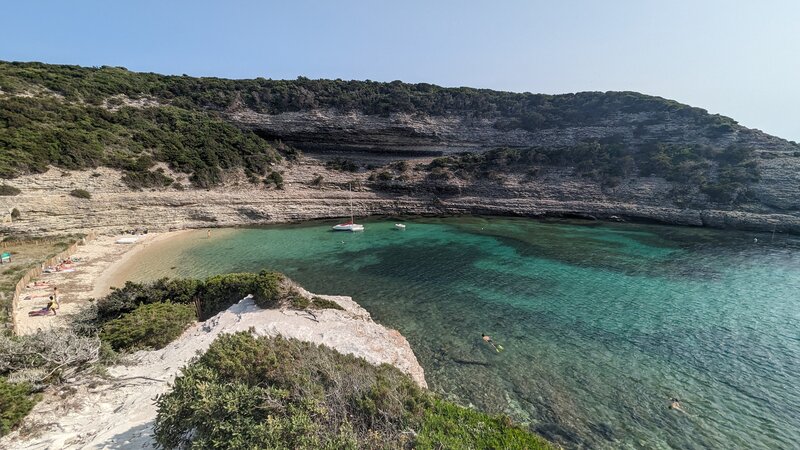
{"type": "Point", "coordinates": [601, 323]}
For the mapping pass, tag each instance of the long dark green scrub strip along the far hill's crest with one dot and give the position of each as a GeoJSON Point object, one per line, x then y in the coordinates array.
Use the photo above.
{"type": "Point", "coordinates": [528, 111]}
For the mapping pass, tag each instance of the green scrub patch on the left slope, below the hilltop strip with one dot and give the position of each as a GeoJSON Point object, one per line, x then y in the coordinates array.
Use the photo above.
{"type": "Point", "coordinates": [37, 132]}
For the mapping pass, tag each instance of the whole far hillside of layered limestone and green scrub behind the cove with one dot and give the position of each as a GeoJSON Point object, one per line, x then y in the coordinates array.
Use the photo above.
{"type": "Point", "coordinates": [466, 150]}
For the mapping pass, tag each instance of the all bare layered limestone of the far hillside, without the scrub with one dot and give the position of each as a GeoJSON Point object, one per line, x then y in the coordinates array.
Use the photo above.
{"type": "Point", "coordinates": [45, 205]}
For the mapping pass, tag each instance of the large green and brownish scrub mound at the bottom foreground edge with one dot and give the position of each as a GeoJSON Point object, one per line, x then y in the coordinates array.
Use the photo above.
{"type": "Point", "coordinates": [288, 394]}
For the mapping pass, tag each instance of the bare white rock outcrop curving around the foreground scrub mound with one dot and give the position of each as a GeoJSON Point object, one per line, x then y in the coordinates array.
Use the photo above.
{"type": "Point", "coordinates": [118, 411]}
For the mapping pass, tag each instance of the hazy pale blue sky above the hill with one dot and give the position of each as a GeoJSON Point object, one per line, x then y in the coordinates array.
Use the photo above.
{"type": "Point", "coordinates": [737, 58]}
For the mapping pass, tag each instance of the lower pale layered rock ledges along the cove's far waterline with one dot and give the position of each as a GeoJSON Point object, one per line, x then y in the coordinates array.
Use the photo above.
{"type": "Point", "coordinates": [45, 206]}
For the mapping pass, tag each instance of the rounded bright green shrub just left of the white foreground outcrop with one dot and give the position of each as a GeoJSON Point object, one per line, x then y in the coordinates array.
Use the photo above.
{"type": "Point", "coordinates": [148, 326]}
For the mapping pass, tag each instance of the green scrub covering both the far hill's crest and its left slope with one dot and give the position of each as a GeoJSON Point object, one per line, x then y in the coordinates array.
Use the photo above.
{"type": "Point", "coordinates": [77, 118]}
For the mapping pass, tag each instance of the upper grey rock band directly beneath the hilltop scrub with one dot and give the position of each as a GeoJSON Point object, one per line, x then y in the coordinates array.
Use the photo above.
{"type": "Point", "coordinates": [425, 134]}
